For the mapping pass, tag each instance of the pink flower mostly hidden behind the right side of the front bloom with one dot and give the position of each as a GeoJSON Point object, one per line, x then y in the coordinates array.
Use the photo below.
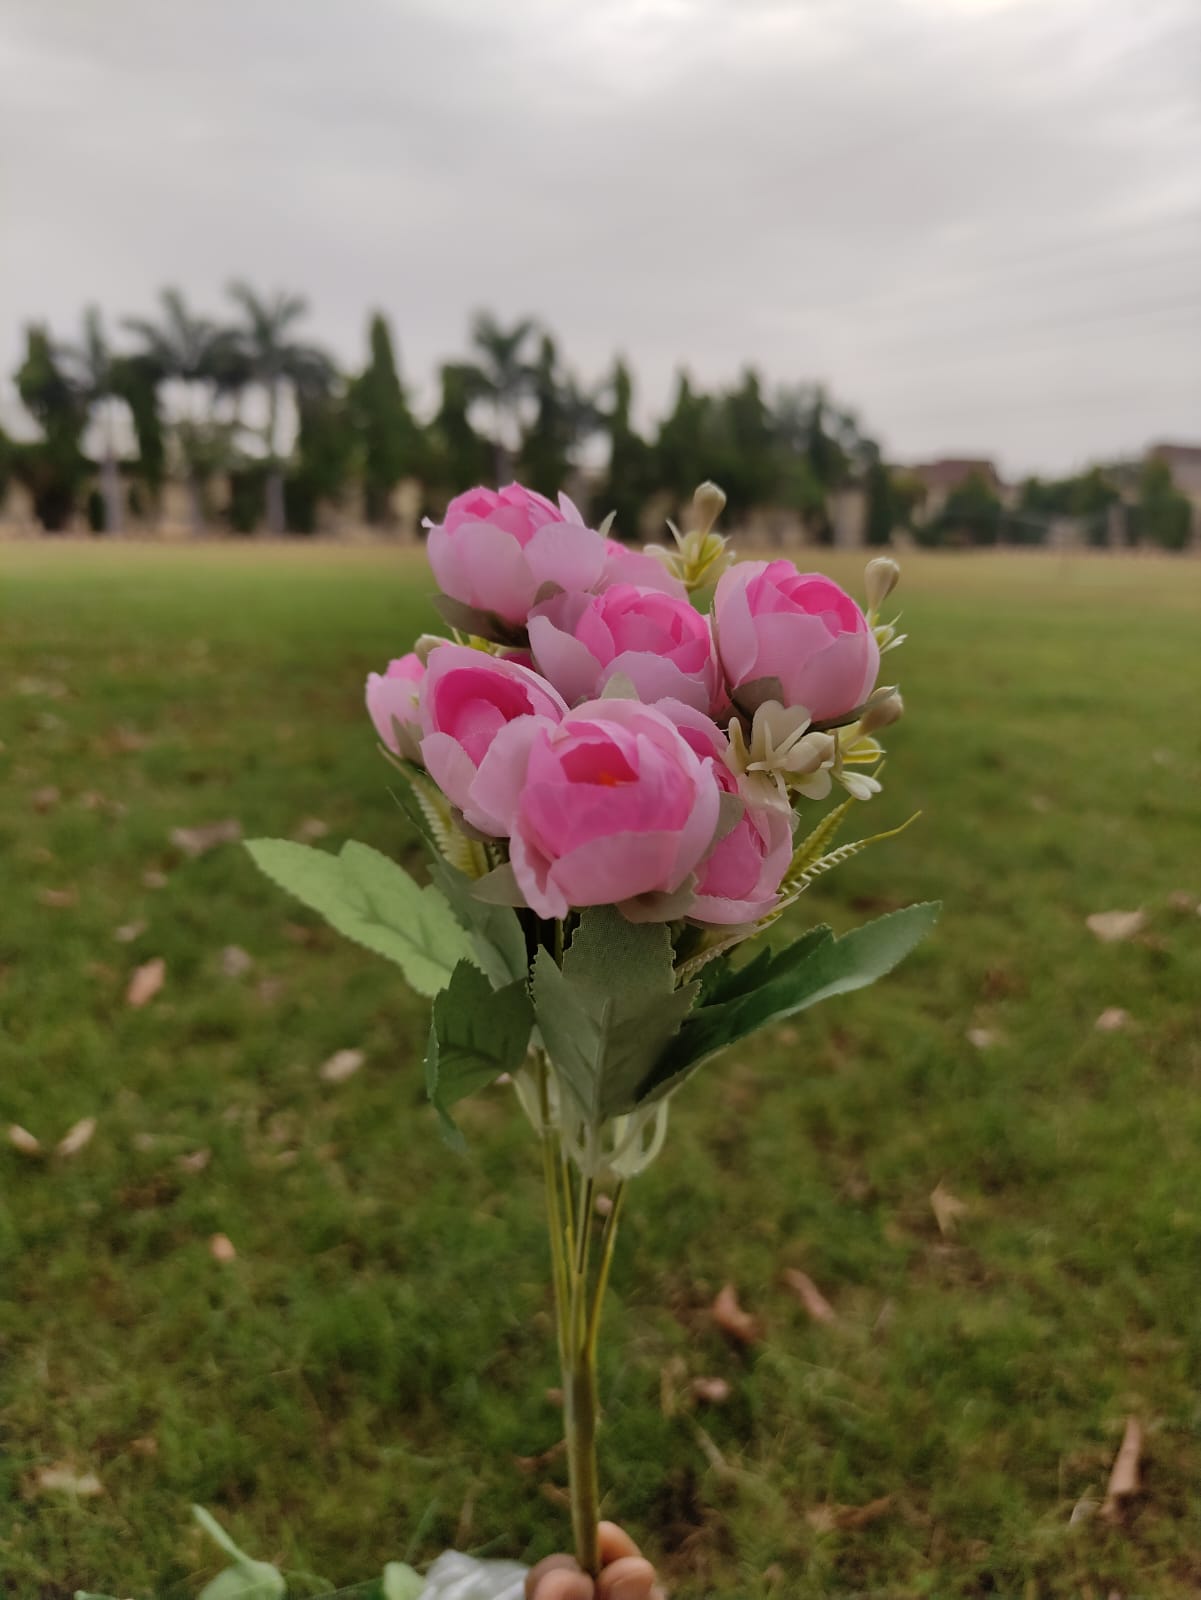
{"type": "Point", "coordinates": [743, 873]}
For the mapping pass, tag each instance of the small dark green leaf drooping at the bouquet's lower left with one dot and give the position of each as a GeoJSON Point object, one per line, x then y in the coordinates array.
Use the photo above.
{"type": "Point", "coordinates": [477, 1033]}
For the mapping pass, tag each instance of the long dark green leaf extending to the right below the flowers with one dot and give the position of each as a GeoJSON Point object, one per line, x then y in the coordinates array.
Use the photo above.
{"type": "Point", "coordinates": [773, 990]}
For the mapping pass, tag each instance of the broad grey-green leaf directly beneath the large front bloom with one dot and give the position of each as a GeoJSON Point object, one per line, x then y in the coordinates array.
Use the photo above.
{"type": "Point", "coordinates": [613, 1007]}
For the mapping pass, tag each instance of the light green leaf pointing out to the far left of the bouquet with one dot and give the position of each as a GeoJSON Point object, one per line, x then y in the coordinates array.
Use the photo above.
{"type": "Point", "coordinates": [375, 903]}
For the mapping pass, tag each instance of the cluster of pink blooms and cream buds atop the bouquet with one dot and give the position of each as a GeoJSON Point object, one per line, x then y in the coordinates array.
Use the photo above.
{"type": "Point", "coordinates": [610, 743]}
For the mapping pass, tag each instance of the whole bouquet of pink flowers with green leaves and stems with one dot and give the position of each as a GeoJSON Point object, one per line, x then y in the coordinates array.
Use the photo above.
{"type": "Point", "coordinates": [610, 764]}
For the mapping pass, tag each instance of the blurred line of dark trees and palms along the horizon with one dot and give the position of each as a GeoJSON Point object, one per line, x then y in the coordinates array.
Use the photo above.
{"type": "Point", "coordinates": [247, 401]}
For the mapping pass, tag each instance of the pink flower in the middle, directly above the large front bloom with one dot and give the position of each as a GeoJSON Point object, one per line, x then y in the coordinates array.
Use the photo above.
{"type": "Point", "coordinates": [661, 644]}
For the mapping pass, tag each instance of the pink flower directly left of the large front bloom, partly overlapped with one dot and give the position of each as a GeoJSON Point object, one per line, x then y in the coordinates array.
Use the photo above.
{"type": "Point", "coordinates": [468, 697]}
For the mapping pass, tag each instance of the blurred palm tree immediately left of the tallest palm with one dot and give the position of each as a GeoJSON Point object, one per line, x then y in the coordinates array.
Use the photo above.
{"type": "Point", "coordinates": [186, 350]}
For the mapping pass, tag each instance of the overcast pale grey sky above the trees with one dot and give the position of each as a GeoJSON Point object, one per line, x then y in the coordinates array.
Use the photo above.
{"type": "Point", "coordinates": [976, 222]}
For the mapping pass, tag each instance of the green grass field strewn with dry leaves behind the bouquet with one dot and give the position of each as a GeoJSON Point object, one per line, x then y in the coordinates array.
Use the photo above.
{"type": "Point", "coordinates": [369, 1378]}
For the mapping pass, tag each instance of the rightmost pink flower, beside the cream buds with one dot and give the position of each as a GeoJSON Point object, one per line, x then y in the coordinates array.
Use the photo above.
{"type": "Point", "coordinates": [799, 628]}
